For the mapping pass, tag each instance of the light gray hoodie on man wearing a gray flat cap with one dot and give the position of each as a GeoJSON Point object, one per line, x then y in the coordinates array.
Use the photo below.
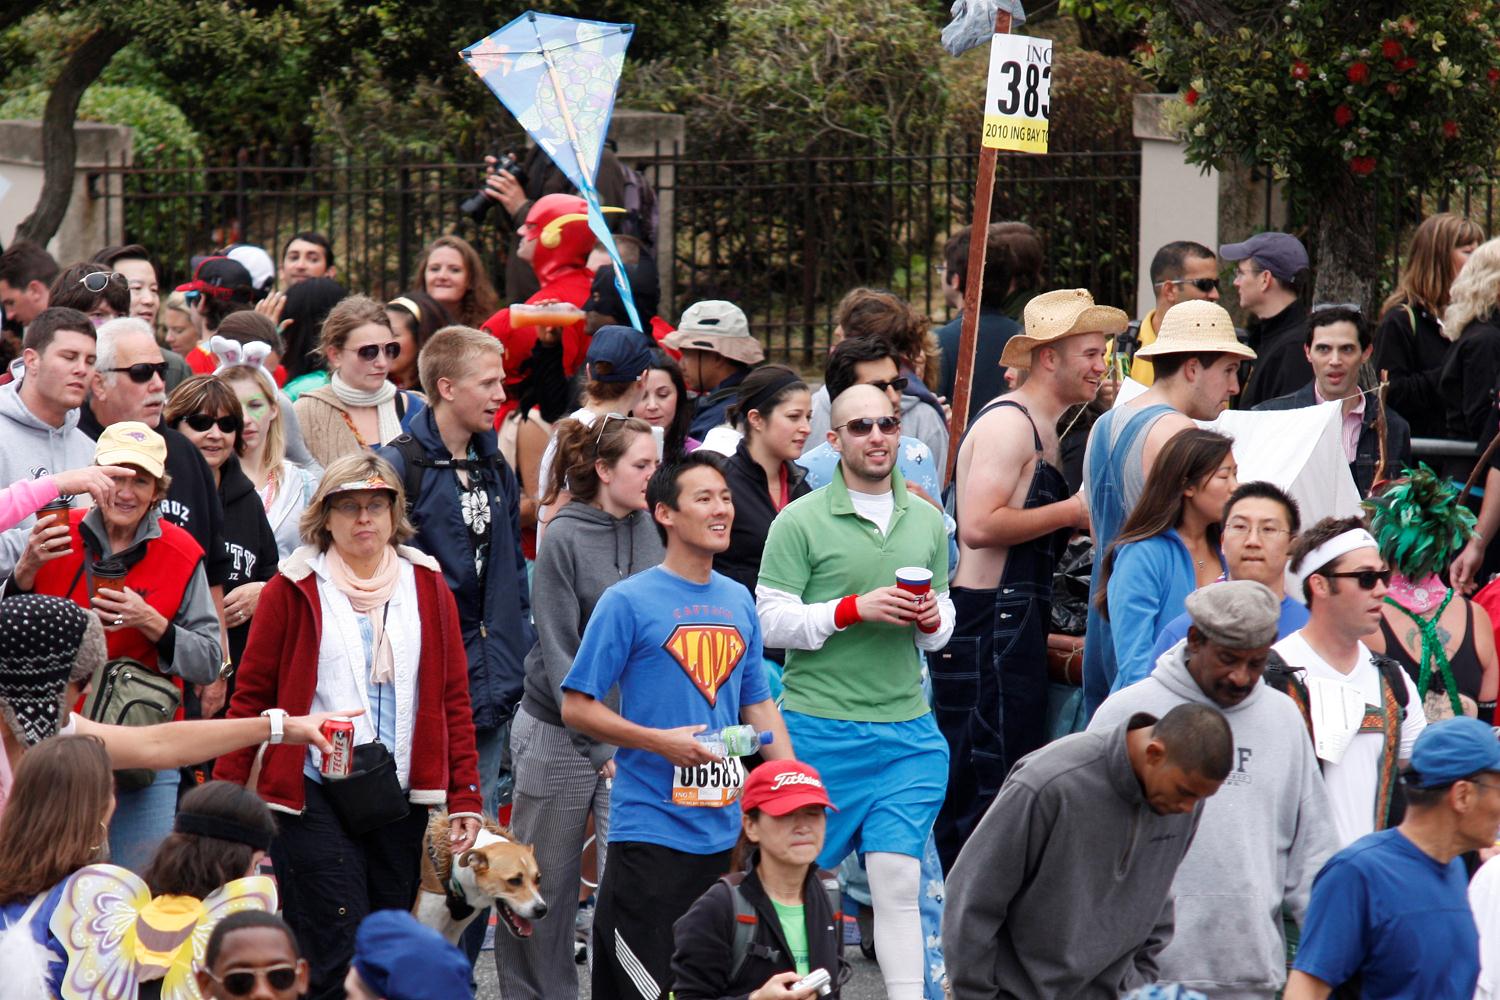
{"type": "Point", "coordinates": [1262, 840]}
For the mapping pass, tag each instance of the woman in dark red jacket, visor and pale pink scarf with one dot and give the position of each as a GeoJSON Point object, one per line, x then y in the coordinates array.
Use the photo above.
{"type": "Point", "coordinates": [355, 615]}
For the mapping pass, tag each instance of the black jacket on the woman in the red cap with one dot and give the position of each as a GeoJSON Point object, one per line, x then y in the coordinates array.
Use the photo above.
{"type": "Point", "coordinates": [706, 939]}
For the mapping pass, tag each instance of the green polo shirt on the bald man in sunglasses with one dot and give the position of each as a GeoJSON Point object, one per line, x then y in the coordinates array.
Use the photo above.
{"type": "Point", "coordinates": [821, 549]}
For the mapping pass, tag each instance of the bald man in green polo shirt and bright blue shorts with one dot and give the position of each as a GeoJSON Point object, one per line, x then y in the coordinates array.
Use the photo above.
{"type": "Point", "coordinates": [854, 699]}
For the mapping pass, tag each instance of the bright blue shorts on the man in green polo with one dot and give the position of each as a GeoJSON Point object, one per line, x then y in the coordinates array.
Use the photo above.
{"type": "Point", "coordinates": [887, 779]}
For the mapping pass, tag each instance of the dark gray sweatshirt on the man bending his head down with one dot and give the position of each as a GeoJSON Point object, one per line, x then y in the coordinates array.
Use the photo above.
{"type": "Point", "coordinates": [1064, 891]}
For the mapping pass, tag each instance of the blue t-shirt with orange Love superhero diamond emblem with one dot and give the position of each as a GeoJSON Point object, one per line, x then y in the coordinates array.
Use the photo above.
{"type": "Point", "coordinates": [683, 654]}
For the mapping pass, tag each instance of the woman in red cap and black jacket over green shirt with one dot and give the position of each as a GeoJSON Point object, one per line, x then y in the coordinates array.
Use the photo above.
{"type": "Point", "coordinates": [761, 930]}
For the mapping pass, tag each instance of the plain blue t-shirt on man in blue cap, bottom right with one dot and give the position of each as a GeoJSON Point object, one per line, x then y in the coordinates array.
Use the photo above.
{"type": "Point", "coordinates": [1396, 917]}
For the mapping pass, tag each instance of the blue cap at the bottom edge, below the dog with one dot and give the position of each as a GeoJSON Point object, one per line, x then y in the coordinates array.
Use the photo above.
{"type": "Point", "coordinates": [403, 960]}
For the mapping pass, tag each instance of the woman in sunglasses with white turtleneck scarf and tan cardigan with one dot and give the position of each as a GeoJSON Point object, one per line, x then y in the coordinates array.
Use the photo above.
{"type": "Point", "coordinates": [361, 407]}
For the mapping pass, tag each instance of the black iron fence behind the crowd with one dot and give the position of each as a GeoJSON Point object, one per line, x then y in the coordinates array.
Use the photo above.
{"type": "Point", "coordinates": [782, 236]}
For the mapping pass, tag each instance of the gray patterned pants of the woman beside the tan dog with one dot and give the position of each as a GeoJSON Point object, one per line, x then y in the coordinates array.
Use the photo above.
{"type": "Point", "coordinates": [556, 789]}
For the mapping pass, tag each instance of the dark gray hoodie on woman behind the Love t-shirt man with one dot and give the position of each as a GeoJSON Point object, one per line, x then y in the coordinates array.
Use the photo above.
{"type": "Point", "coordinates": [584, 552]}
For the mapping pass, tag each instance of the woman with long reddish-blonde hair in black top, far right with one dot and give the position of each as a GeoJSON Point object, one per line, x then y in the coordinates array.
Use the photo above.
{"type": "Point", "coordinates": [1411, 343]}
